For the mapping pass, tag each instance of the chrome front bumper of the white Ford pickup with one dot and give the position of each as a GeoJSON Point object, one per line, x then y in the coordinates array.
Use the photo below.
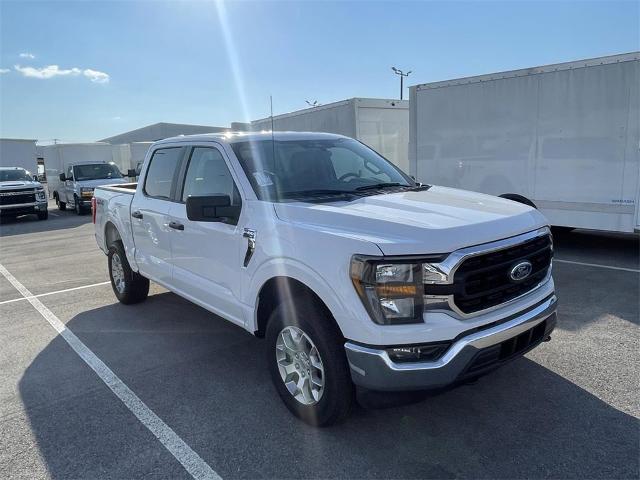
{"type": "Point", "coordinates": [468, 356]}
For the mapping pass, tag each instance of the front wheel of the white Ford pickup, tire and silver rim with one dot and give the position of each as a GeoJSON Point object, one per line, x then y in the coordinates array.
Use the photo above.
{"type": "Point", "coordinates": [308, 364]}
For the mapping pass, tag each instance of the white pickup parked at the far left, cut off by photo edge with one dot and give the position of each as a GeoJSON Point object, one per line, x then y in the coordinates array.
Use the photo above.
{"type": "Point", "coordinates": [21, 194]}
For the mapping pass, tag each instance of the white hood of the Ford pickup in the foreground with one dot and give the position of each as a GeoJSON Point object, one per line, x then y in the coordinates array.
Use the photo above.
{"type": "Point", "coordinates": [438, 220]}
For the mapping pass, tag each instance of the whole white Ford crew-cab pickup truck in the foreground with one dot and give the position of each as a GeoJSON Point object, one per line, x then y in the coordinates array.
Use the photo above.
{"type": "Point", "coordinates": [353, 273]}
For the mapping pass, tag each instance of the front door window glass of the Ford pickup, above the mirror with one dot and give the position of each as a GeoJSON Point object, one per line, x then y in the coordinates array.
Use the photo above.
{"type": "Point", "coordinates": [208, 174]}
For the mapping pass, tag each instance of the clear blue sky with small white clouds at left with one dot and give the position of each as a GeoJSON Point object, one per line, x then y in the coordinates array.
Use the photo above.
{"type": "Point", "coordinates": [123, 65]}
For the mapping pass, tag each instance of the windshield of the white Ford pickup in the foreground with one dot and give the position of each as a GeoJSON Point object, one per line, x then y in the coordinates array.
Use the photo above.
{"type": "Point", "coordinates": [307, 167]}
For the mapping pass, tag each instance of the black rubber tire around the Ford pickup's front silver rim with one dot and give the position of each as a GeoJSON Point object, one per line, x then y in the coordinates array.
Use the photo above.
{"type": "Point", "coordinates": [338, 392]}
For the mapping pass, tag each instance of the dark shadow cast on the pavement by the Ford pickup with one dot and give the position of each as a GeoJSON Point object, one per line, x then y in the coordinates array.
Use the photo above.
{"type": "Point", "coordinates": [207, 380]}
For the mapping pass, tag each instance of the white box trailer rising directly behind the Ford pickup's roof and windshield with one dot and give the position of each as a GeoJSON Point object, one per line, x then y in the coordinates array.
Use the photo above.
{"type": "Point", "coordinates": [379, 123]}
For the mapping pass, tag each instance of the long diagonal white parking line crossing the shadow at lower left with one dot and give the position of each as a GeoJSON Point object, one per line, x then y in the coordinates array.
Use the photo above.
{"type": "Point", "coordinates": [190, 460]}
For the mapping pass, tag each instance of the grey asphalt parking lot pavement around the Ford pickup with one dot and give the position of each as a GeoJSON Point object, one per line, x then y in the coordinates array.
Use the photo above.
{"type": "Point", "coordinates": [568, 409]}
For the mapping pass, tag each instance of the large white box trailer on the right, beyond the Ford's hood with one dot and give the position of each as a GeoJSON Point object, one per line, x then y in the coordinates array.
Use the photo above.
{"type": "Point", "coordinates": [564, 137]}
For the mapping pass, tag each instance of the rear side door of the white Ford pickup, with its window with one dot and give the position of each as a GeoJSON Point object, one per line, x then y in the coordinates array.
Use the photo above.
{"type": "Point", "coordinates": [150, 214]}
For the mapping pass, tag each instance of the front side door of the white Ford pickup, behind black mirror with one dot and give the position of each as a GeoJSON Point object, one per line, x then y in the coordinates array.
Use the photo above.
{"type": "Point", "coordinates": [207, 255]}
